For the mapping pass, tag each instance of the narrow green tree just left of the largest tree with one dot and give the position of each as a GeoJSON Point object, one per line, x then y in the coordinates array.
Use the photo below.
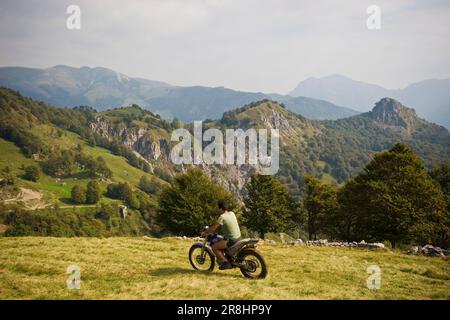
{"type": "Point", "coordinates": [320, 205]}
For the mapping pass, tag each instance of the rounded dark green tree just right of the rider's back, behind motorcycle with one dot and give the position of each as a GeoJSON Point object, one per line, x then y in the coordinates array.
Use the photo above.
{"type": "Point", "coordinates": [269, 206]}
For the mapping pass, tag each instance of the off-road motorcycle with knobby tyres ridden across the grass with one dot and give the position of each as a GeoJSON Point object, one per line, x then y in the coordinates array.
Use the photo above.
{"type": "Point", "coordinates": [242, 255]}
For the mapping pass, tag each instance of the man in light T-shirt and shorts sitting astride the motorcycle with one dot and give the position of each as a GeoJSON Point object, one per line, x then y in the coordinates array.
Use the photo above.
{"type": "Point", "coordinates": [232, 233]}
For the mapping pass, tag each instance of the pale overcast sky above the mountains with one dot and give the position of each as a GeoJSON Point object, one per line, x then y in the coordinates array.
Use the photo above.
{"type": "Point", "coordinates": [250, 45]}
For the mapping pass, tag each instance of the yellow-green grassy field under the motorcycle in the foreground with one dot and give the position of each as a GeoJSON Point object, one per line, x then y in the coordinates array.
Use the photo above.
{"type": "Point", "coordinates": [137, 268]}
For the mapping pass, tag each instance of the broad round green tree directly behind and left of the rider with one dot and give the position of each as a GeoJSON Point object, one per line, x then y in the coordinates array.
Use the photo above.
{"type": "Point", "coordinates": [190, 203]}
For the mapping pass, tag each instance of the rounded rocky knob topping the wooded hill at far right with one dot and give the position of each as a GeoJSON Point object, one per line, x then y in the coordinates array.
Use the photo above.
{"type": "Point", "coordinates": [391, 112]}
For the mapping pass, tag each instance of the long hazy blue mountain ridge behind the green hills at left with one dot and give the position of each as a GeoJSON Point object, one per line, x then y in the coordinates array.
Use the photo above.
{"type": "Point", "coordinates": [103, 88]}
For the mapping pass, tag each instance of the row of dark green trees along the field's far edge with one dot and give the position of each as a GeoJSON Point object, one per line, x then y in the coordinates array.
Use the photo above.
{"type": "Point", "coordinates": [394, 198]}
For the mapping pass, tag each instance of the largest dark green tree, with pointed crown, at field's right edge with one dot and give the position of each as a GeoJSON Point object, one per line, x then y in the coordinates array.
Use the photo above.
{"type": "Point", "coordinates": [394, 199]}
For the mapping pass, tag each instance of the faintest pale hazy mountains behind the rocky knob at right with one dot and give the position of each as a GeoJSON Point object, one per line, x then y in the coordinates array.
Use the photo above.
{"type": "Point", "coordinates": [430, 98]}
